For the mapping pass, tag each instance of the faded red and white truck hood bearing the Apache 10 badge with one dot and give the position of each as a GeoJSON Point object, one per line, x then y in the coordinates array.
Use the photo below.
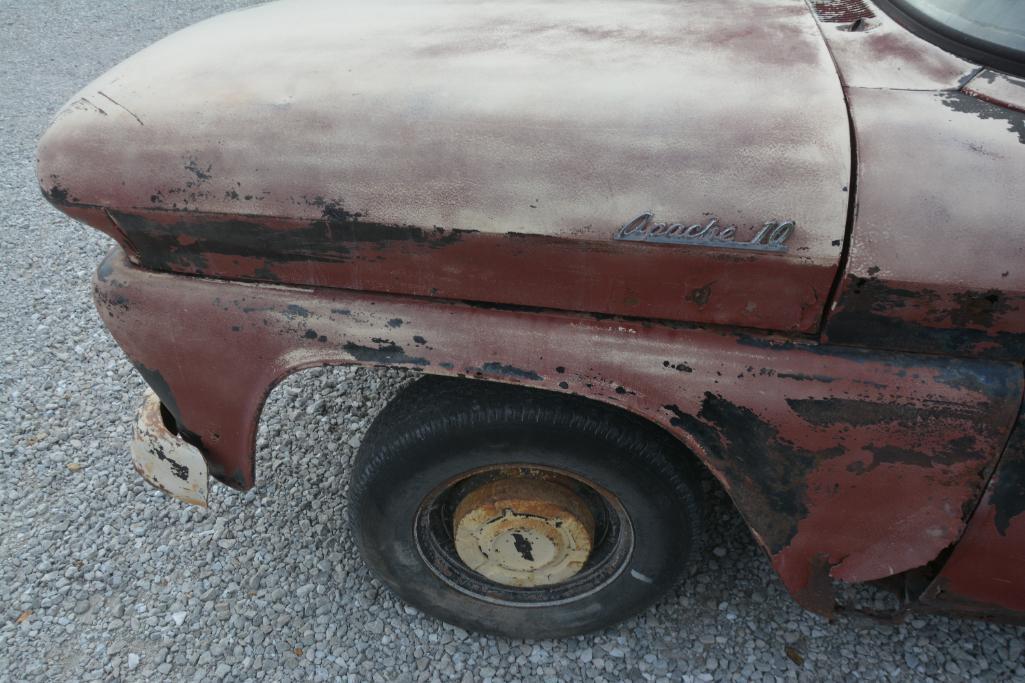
{"type": "Point", "coordinates": [483, 151]}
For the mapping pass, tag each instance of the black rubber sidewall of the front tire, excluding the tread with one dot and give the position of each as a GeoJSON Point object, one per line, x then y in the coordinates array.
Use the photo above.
{"type": "Point", "coordinates": [662, 523]}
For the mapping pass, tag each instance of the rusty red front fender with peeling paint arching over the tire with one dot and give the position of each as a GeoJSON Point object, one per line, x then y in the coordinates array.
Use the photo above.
{"type": "Point", "coordinates": [847, 464]}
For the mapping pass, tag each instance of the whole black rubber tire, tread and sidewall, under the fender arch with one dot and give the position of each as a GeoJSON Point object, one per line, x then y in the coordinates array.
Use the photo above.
{"type": "Point", "coordinates": [439, 428]}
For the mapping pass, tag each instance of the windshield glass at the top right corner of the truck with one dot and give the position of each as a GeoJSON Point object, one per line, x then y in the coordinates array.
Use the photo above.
{"type": "Point", "coordinates": [995, 26]}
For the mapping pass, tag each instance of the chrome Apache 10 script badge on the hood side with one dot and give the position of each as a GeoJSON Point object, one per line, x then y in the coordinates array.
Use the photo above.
{"type": "Point", "coordinates": [771, 237]}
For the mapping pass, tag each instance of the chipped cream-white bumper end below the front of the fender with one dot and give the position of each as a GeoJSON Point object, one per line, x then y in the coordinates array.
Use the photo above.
{"type": "Point", "coordinates": [167, 461]}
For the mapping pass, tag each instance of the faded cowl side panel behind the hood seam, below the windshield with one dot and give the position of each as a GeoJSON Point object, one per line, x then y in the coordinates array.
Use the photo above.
{"type": "Point", "coordinates": [937, 261]}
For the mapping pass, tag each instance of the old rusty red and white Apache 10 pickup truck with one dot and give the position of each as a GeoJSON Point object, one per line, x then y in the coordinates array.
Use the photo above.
{"type": "Point", "coordinates": [777, 240]}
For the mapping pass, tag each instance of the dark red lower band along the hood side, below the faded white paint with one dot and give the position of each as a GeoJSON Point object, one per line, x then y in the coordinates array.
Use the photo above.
{"type": "Point", "coordinates": [704, 285]}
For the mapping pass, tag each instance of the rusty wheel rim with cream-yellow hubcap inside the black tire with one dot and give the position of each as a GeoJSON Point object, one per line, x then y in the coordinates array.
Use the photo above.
{"type": "Point", "coordinates": [523, 535]}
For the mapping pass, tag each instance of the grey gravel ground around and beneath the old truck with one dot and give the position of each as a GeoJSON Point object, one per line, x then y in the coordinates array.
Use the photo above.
{"type": "Point", "coordinates": [102, 578]}
